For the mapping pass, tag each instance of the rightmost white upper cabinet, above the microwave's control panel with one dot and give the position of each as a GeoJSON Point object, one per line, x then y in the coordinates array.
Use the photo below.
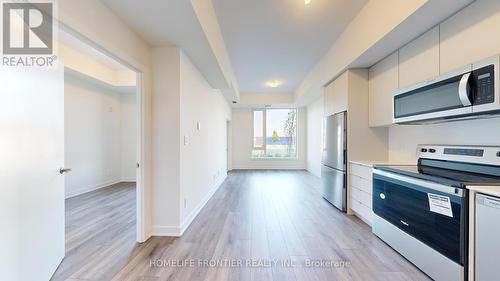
{"type": "Point", "coordinates": [470, 35]}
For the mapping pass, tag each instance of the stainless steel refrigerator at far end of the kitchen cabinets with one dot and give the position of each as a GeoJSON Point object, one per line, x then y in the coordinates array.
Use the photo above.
{"type": "Point", "coordinates": [333, 160]}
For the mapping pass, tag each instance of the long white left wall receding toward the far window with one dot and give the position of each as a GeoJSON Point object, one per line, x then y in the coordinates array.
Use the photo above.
{"type": "Point", "coordinates": [204, 155]}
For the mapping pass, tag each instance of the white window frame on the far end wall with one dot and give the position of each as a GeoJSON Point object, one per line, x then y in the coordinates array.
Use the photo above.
{"type": "Point", "coordinates": [264, 127]}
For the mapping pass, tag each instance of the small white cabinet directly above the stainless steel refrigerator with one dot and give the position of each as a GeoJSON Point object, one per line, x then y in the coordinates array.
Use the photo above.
{"type": "Point", "coordinates": [336, 95]}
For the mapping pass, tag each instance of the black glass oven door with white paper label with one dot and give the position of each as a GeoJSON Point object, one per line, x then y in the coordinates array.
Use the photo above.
{"type": "Point", "coordinates": [432, 213]}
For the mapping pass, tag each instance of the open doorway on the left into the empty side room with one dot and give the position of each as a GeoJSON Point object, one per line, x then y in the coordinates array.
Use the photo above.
{"type": "Point", "coordinates": [103, 152]}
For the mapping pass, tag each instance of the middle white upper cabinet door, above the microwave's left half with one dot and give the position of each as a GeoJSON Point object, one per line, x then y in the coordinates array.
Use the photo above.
{"type": "Point", "coordinates": [419, 59]}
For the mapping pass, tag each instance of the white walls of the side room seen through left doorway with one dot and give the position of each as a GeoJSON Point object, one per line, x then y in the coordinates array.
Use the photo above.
{"type": "Point", "coordinates": [93, 136]}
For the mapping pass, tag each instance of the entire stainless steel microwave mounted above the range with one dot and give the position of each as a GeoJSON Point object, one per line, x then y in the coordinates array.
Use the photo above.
{"type": "Point", "coordinates": [466, 93]}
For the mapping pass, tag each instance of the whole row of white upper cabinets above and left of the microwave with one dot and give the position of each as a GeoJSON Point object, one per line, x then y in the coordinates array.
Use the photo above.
{"type": "Point", "coordinates": [468, 36]}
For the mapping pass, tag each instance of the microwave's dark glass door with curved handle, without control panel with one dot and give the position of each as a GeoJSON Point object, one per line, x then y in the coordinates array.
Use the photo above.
{"type": "Point", "coordinates": [445, 96]}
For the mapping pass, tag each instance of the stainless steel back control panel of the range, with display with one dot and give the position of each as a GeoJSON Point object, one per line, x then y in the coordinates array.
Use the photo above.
{"type": "Point", "coordinates": [489, 155]}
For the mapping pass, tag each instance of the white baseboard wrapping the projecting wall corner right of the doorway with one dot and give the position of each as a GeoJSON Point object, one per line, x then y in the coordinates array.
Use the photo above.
{"type": "Point", "coordinates": [178, 231]}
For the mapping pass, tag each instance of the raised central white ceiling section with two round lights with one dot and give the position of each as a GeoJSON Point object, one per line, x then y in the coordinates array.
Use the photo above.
{"type": "Point", "coordinates": [280, 39]}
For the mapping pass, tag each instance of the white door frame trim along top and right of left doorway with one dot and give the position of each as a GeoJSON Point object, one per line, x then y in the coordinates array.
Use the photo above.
{"type": "Point", "coordinates": [141, 233]}
